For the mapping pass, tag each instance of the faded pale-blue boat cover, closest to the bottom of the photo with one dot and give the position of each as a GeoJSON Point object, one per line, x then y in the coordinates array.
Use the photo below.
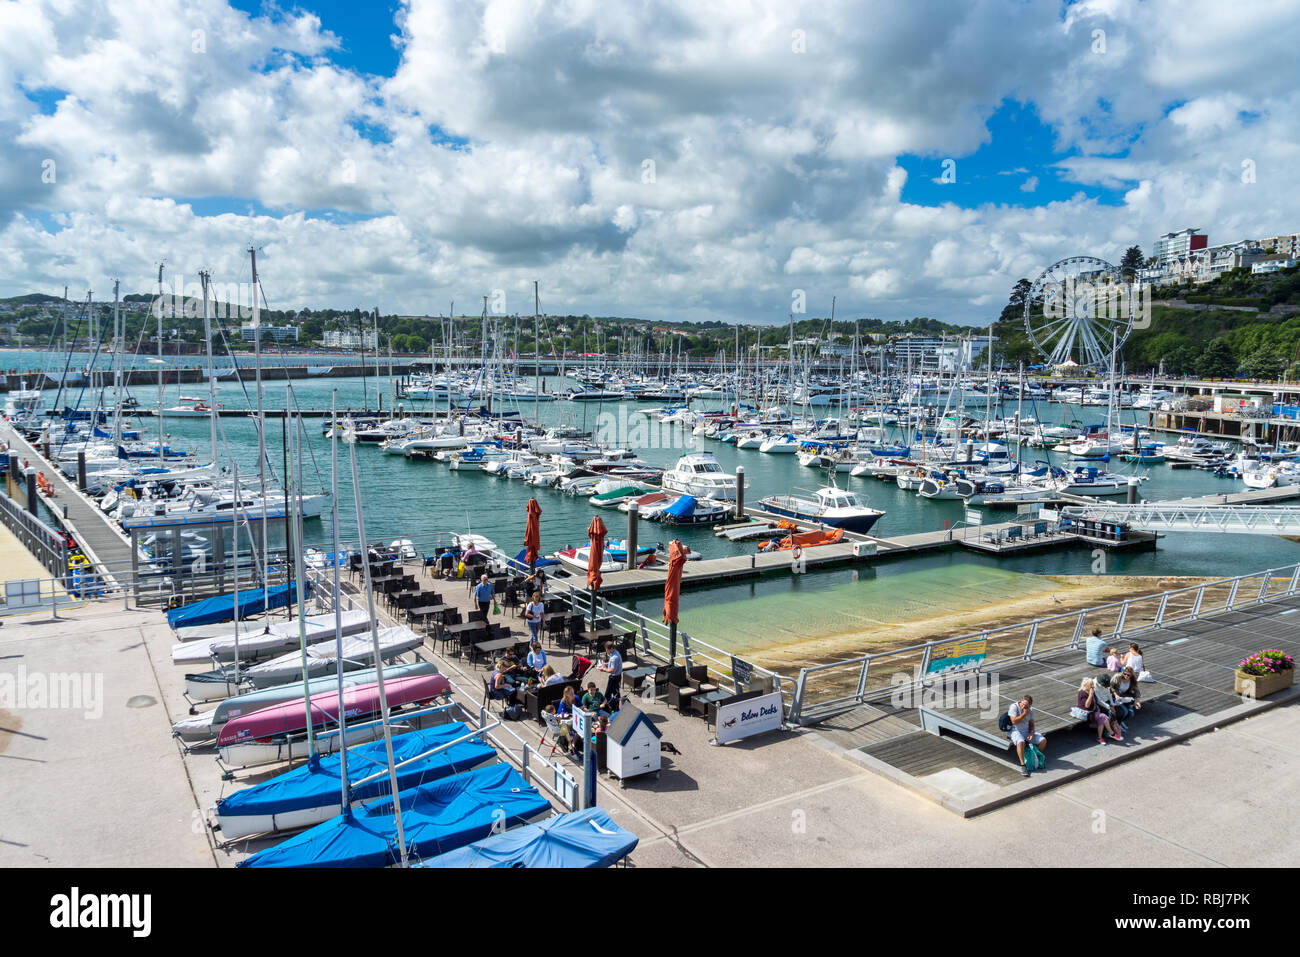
{"type": "Point", "coordinates": [579, 839]}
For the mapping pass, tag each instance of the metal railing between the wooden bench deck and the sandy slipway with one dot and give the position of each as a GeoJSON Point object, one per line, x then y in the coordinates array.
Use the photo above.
{"type": "Point", "coordinates": [824, 691]}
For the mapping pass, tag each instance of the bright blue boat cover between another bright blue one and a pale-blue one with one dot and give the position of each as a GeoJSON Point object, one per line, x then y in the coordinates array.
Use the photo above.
{"type": "Point", "coordinates": [437, 819]}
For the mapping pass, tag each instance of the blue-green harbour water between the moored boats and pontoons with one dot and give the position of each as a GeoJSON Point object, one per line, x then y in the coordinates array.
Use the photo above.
{"type": "Point", "coordinates": [422, 500]}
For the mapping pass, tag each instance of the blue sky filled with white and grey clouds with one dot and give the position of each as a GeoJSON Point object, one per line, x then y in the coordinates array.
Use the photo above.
{"type": "Point", "coordinates": [775, 167]}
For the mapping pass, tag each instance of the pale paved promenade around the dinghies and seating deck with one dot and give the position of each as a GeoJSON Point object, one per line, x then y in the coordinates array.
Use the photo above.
{"type": "Point", "coordinates": [115, 790]}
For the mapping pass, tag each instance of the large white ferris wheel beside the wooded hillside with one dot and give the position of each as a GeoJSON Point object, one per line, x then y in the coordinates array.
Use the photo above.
{"type": "Point", "coordinates": [1078, 310]}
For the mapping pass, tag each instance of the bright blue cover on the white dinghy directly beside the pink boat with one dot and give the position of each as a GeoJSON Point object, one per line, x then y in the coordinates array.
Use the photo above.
{"type": "Point", "coordinates": [318, 787]}
